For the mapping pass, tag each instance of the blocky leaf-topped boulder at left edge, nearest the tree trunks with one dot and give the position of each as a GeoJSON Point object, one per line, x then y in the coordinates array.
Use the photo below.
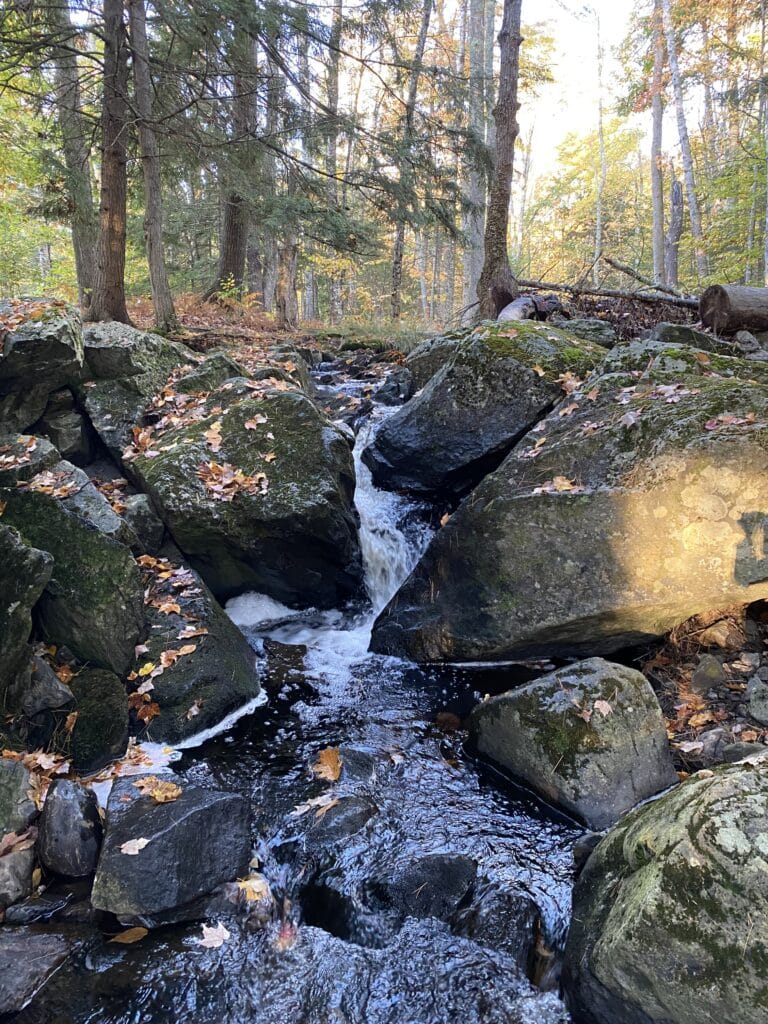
{"type": "Point", "coordinates": [41, 350]}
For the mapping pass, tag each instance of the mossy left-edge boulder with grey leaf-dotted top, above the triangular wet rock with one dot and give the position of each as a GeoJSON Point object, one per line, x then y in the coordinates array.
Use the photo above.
{"type": "Point", "coordinates": [94, 601]}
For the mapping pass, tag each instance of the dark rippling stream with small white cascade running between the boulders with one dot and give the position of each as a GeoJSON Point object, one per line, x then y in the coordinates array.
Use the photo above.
{"type": "Point", "coordinates": [420, 888]}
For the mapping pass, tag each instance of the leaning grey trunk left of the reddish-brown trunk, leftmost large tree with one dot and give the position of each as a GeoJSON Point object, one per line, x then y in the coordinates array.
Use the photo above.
{"type": "Point", "coordinates": [76, 151]}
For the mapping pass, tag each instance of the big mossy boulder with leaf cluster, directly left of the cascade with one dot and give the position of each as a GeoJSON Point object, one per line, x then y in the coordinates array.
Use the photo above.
{"type": "Point", "coordinates": [291, 534]}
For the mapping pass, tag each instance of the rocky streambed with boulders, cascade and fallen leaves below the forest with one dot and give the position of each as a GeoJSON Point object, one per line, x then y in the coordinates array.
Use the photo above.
{"type": "Point", "coordinates": [219, 804]}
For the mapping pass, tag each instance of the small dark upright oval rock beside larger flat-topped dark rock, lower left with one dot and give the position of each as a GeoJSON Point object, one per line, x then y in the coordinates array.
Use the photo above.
{"type": "Point", "coordinates": [70, 835]}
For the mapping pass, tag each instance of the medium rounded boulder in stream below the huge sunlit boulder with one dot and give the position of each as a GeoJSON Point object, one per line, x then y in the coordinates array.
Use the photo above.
{"type": "Point", "coordinates": [590, 739]}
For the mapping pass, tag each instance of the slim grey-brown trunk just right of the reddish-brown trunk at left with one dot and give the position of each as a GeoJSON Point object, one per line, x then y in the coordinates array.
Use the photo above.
{"type": "Point", "coordinates": [165, 315]}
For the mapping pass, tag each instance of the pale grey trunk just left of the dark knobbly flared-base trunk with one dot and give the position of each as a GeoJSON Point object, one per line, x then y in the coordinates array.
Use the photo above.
{"type": "Point", "coordinates": [475, 186]}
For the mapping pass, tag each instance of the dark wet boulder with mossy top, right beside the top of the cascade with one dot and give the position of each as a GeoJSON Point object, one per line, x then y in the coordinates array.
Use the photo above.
{"type": "Point", "coordinates": [500, 381]}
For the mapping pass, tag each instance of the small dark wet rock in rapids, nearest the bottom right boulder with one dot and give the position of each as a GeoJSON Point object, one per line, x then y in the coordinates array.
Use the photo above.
{"type": "Point", "coordinates": [505, 920]}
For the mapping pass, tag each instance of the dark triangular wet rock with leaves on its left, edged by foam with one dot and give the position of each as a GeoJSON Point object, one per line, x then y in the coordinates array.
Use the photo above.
{"type": "Point", "coordinates": [217, 677]}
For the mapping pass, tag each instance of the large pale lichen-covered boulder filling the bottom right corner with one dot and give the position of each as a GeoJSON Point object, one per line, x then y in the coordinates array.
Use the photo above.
{"type": "Point", "coordinates": [670, 919]}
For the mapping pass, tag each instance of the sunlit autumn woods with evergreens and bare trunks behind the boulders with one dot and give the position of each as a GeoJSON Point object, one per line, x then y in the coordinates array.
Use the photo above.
{"type": "Point", "coordinates": [332, 161]}
